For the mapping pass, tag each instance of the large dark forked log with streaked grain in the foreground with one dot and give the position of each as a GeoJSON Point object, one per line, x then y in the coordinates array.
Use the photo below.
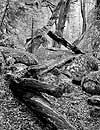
{"type": "Point", "coordinates": [31, 96]}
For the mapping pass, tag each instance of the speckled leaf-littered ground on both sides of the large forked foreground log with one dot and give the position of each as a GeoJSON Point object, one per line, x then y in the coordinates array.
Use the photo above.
{"type": "Point", "coordinates": [72, 105]}
